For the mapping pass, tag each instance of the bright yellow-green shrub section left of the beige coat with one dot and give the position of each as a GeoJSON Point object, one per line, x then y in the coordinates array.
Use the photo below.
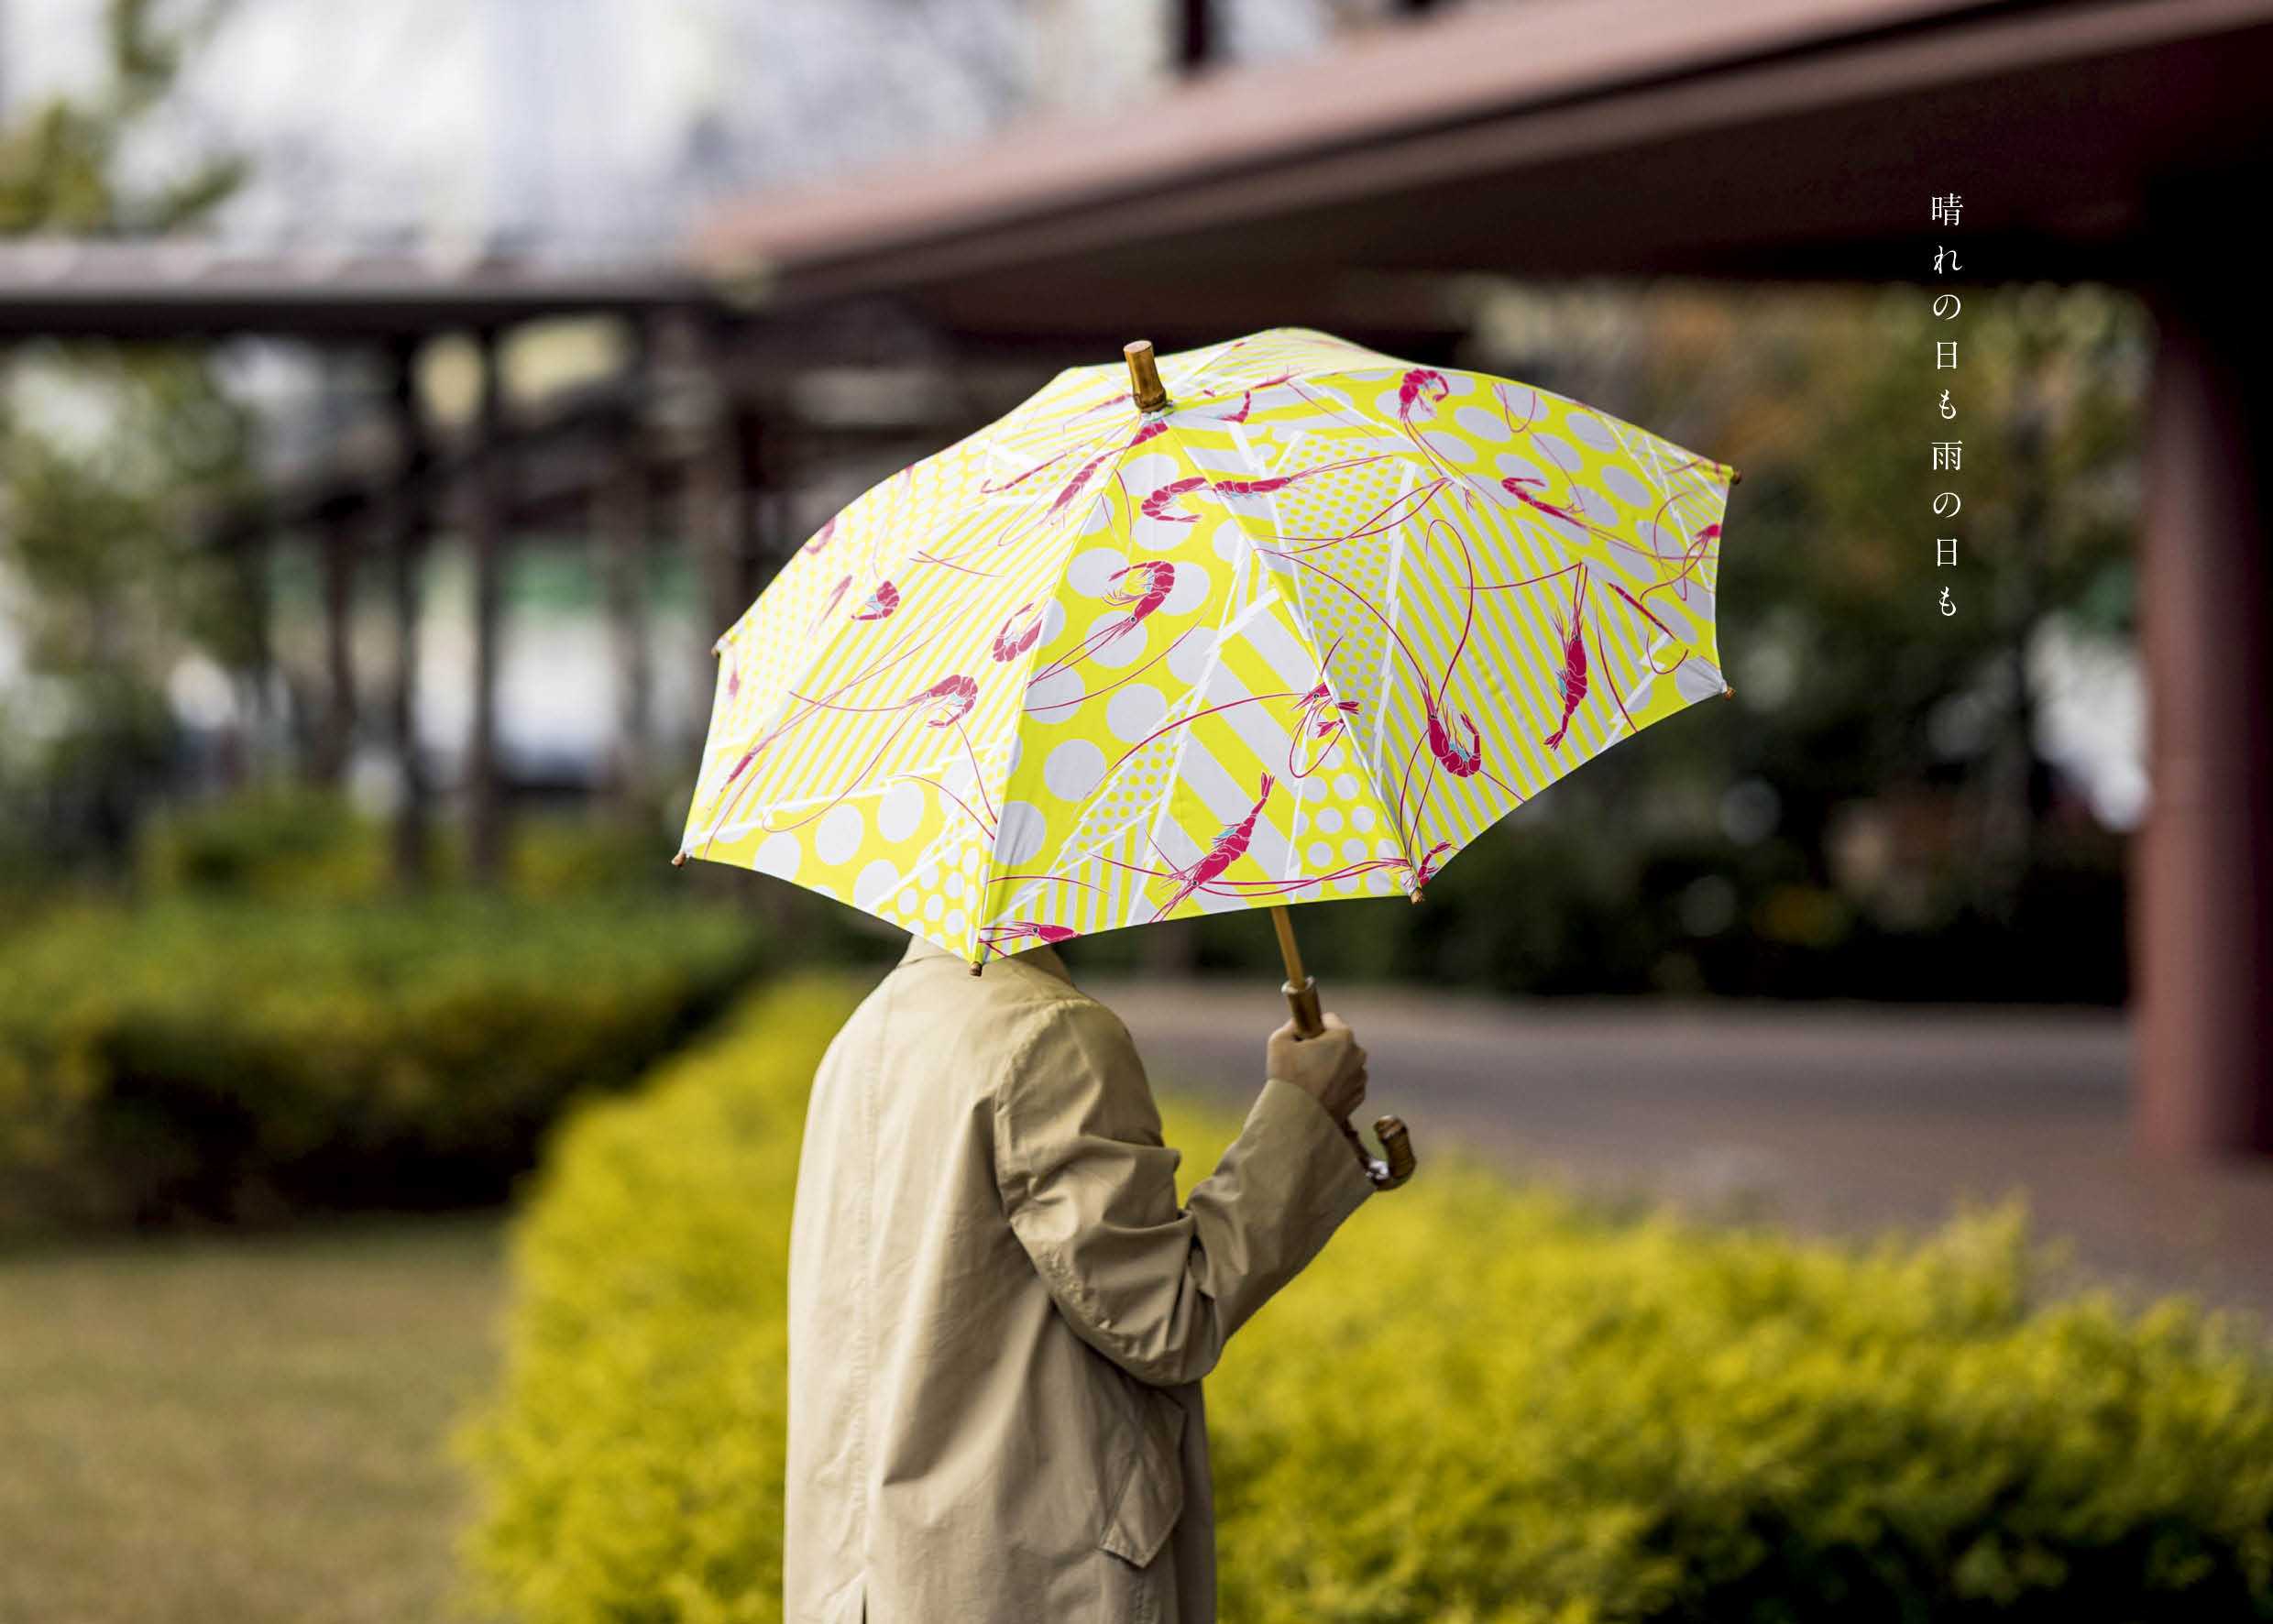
{"type": "Point", "coordinates": [635, 1455]}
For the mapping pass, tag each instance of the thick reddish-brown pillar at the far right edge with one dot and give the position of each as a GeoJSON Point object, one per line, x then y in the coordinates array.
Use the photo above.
{"type": "Point", "coordinates": [2204, 867]}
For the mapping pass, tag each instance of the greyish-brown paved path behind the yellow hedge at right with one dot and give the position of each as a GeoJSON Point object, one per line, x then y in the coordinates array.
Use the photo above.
{"type": "Point", "coordinates": [1842, 1119]}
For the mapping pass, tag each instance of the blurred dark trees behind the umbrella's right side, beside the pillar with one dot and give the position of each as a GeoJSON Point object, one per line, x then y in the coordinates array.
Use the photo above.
{"type": "Point", "coordinates": [1872, 817]}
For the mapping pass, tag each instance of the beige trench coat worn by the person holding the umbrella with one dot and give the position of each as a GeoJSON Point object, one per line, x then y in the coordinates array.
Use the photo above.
{"type": "Point", "coordinates": [999, 1316]}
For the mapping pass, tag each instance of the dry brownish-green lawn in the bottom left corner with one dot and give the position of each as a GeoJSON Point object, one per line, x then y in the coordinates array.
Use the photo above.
{"type": "Point", "coordinates": [242, 1430]}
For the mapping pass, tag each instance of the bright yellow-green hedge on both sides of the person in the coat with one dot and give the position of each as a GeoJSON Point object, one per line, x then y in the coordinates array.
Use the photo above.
{"type": "Point", "coordinates": [1483, 1405]}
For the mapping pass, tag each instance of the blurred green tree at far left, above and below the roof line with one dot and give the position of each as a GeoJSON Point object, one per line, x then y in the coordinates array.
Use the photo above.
{"type": "Point", "coordinates": [101, 451]}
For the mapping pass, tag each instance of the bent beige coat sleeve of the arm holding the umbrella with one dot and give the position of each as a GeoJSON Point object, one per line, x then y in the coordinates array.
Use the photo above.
{"type": "Point", "coordinates": [1090, 1191]}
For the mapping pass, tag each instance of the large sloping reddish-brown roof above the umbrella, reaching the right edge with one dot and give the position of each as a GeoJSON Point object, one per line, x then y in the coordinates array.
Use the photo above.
{"type": "Point", "coordinates": [1560, 137]}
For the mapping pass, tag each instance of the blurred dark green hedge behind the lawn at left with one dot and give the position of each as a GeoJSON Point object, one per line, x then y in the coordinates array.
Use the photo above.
{"type": "Point", "coordinates": [247, 1060]}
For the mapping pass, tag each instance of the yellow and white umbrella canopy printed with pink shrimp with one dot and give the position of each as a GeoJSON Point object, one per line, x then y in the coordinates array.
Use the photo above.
{"type": "Point", "coordinates": [1301, 633]}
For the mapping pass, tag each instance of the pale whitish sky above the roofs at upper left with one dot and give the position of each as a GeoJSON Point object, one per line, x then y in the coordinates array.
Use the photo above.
{"type": "Point", "coordinates": [597, 124]}
